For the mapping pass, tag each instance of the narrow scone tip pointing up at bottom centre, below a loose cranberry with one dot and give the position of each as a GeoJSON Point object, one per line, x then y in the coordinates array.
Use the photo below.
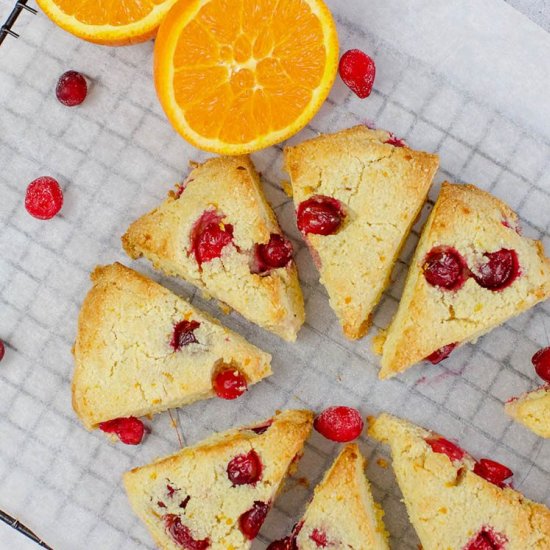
{"type": "Point", "coordinates": [342, 513]}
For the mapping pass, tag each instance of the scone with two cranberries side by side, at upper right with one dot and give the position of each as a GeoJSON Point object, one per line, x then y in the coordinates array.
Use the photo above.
{"type": "Point", "coordinates": [471, 271]}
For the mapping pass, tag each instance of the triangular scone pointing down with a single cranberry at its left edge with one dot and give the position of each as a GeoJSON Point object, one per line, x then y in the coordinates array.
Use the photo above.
{"type": "Point", "coordinates": [375, 190]}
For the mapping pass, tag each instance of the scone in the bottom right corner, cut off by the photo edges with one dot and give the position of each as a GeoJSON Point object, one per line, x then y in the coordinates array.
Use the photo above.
{"type": "Point", "coordinates": [449, 505]}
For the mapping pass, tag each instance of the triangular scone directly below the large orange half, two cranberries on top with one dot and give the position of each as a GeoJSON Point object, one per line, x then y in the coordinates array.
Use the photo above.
{"type": "Point", "coordinates": [218, 232]}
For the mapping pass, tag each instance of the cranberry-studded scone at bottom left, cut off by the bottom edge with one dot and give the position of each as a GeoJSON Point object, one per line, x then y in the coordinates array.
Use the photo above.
{"type": "Point", "coordinates": [216, 494]}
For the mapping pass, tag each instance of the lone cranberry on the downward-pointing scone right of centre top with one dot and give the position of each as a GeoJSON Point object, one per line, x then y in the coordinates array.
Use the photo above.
{"type": "Point", "coordinates": [320, 215]}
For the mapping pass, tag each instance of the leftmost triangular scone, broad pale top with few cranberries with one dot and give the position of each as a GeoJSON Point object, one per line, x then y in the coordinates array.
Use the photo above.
{"type": "Point", "coordinates": [141, 349]}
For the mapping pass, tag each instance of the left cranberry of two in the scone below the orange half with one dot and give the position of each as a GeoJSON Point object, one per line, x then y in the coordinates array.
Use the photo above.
{"type": "Point", "coordinates": [210, 236]}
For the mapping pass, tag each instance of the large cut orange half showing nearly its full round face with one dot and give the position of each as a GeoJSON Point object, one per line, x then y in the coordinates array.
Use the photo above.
{"type": "Point", "coordinates": [234, 76]}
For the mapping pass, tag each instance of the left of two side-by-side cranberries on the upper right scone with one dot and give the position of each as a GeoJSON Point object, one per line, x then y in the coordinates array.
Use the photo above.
{"type": "Point", "coordinates": [445, 268]}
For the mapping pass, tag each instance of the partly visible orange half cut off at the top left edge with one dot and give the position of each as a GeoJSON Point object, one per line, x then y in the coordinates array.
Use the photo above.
{"type": "Point", "coordinates": [108, 22]}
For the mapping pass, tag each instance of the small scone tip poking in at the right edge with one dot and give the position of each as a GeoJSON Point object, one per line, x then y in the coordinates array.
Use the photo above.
{"type": "Point", "coordinates": [532, 409]}
